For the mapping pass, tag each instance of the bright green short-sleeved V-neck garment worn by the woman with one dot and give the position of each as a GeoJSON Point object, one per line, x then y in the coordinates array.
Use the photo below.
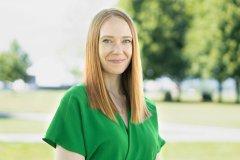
{"type": "Point", "coordinates": [81, 129]}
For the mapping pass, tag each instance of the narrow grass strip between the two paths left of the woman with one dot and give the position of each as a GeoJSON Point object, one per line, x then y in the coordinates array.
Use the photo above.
{"type": "Point", "coordinates": [21, 126]}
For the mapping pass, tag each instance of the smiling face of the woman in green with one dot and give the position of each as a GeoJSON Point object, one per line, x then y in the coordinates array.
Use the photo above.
{"type": "Point", "coordinates": [115, 45]}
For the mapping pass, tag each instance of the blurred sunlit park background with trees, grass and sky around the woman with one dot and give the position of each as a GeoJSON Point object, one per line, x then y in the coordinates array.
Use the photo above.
{"type": "Point", "coordinates": [191, 64]}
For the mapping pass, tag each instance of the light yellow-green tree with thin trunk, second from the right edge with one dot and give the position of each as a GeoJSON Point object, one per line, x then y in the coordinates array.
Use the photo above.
{"type": "Point", "coordinates": [203, 41]}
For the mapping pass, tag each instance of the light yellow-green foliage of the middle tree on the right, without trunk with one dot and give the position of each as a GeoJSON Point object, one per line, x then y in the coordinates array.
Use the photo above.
{"type": "Point", "coordinates": [202, 37]}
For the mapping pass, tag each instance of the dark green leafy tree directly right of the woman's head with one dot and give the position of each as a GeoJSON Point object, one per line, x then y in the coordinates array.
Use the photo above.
{"type": "Point", "coordinates": [162, 26]}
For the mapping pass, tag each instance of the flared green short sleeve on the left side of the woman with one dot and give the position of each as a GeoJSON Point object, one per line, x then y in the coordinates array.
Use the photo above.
{"type": "Point", "coordinates": [66, 128]}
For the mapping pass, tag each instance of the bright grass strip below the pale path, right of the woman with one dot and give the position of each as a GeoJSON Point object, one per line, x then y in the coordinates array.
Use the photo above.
{"type": "Point", "coordinates": [200, 151]}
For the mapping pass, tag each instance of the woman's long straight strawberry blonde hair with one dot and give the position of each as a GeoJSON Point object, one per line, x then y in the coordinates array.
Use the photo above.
{"type": "Point", "coordinates": [131, 78]}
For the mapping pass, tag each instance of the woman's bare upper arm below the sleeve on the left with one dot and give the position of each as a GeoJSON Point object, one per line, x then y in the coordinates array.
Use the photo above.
{"type": "Point", "coordinates": [63, 154]}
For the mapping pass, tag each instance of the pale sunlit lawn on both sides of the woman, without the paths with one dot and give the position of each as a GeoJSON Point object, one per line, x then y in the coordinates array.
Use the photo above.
{"type": "Point", "coordinates": [44, 101]}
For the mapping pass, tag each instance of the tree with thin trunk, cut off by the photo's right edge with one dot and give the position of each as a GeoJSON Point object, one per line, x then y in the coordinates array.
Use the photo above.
{"type": "Point", "coordinates": [230, 40]}
